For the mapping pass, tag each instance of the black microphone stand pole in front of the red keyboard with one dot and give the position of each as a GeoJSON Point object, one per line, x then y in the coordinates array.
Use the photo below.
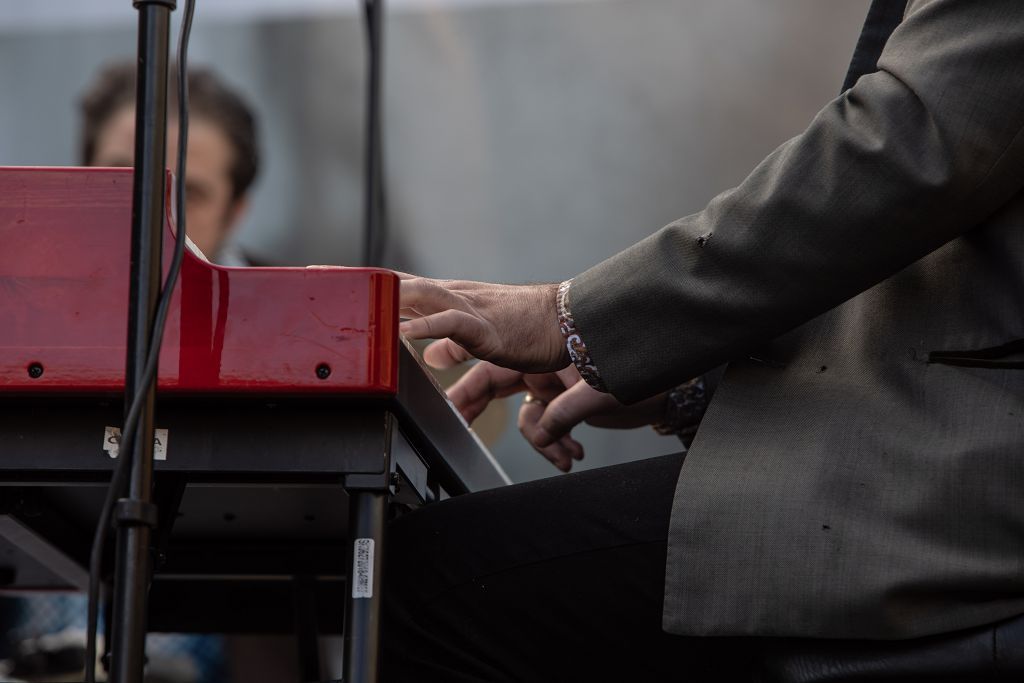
{"type": "Point", "coordinates": [136, 517]}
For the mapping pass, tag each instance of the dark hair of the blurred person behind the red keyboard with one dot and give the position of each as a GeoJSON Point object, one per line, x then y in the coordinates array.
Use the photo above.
{"type": "Point", "coordinates": [209, 98]}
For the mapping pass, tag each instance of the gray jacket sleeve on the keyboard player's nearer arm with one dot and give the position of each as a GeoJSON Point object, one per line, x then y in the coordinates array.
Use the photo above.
{"type": "Point", "coordinates": [909, 159]}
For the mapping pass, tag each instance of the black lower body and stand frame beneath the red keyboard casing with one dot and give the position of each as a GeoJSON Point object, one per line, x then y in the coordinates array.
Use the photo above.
{"type": "Point", "coordinates": [266, 540]}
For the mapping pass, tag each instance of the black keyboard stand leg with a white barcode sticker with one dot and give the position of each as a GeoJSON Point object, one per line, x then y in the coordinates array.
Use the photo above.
{"type": "Point", "coordinates": [368, 510]}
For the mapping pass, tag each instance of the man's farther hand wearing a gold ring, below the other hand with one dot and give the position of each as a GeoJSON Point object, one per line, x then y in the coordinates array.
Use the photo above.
{"type": "Point", "coordinates": [560, 402]}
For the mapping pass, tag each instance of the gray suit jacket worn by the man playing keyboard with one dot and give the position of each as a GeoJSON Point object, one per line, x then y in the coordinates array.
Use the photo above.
{"type": "Point", "coordinates": [842, 485]}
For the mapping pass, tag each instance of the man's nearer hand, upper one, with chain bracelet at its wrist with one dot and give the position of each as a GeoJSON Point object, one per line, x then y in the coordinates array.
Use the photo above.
{"type": "Point", "coordinates": [514, 326]}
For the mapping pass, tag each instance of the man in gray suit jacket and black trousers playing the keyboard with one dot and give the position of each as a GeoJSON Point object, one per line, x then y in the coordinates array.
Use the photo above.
{"type": "Point", "coordinates": [860, 474]}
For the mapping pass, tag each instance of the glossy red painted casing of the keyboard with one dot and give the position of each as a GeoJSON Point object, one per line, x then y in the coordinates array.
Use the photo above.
{"type": "Point", "coordinates": [65, 241]}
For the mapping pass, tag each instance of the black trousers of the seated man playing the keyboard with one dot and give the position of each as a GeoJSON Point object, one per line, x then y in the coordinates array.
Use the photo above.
{"type": "Point", "coordinates": [563, 580]}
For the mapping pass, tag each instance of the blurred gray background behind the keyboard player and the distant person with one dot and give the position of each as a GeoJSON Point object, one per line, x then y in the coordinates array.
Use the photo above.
{"type": "Point", "coordinates": [526, 141]}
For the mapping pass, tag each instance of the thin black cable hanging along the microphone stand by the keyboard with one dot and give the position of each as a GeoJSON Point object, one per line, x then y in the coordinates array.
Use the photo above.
{"type": "Point", "coordinates": [123, 467]}
